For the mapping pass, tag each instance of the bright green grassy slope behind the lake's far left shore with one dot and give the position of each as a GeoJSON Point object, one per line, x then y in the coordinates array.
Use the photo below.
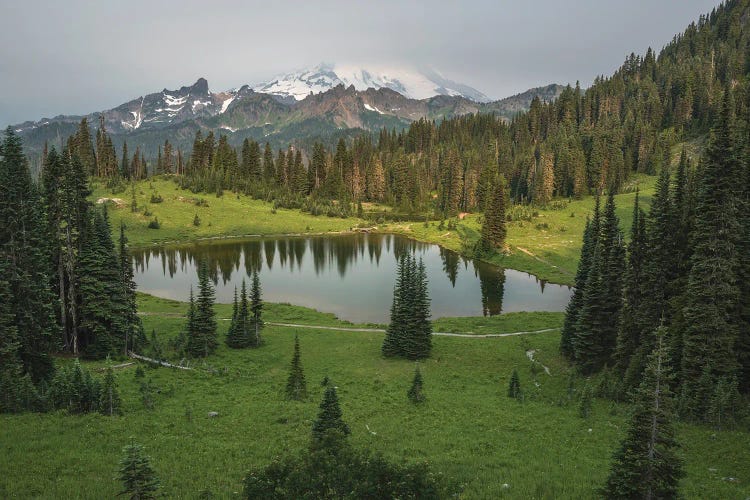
{"type": "Point", "coordinates": [230, 215]}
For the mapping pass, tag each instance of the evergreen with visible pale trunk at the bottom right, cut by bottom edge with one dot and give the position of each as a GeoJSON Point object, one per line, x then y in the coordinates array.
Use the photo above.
{"type": "Point", "coordinates": [646, 465]}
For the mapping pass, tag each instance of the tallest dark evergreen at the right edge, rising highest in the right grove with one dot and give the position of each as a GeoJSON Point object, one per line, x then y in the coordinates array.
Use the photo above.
{"type": "Point", "coordinates": [712, 292]}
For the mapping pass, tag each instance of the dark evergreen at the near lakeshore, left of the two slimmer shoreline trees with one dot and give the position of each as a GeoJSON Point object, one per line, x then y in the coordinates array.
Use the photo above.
{"type": "Point", "coordinates": [201, 341]}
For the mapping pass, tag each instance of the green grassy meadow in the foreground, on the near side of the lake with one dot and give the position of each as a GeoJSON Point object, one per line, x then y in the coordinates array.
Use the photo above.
{"type": "Point", "coordinates": [468, 429]}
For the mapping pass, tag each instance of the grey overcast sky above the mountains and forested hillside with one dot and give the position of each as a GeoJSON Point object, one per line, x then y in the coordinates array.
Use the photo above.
{"type": "Point", "coordinates": [76, 57]}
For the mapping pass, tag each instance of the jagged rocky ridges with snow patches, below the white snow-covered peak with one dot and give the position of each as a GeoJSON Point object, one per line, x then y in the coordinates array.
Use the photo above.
{"type": "Point", "coordinates": [176, 115]}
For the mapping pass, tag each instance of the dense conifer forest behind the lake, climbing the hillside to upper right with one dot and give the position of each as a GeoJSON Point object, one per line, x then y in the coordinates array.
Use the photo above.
{"type": "Point", "coordinates": [586, 141]}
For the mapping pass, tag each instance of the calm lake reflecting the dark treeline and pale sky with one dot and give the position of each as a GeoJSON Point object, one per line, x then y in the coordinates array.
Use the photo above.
{"type": "Point", "coordinates": [351, 276]}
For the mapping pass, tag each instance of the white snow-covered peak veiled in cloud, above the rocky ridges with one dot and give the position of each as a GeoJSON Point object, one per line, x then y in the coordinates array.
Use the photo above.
{"type": "Point", "coordinates": [414, 84]}
